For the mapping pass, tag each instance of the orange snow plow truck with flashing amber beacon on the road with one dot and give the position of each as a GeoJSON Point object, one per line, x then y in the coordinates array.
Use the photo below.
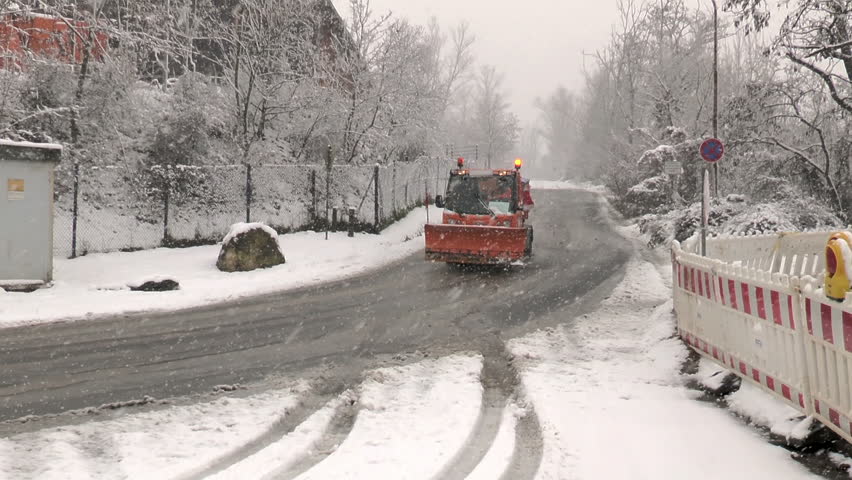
{"type": "Point", "coordinates": [484, 220]}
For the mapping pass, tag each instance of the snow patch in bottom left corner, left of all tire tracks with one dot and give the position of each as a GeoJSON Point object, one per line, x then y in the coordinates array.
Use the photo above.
{"type": "Point", "coordinates": [164, 443]}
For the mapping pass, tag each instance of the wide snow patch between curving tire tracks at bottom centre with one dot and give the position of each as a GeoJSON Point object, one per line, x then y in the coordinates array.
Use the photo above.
{"type": "Point", "coordinates": [413, 419]}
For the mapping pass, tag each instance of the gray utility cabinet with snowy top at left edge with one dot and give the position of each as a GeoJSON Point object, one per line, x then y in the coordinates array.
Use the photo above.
{"type": "Point", "coordinates": [26, 213]}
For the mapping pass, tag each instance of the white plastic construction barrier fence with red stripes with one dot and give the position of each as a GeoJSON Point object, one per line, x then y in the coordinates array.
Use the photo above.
{"type": "Point", "coordinates": [755, 305]}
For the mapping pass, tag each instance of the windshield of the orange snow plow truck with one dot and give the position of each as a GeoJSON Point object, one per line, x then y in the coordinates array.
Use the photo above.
{"type": "Point", "coordinates": [472, 195]}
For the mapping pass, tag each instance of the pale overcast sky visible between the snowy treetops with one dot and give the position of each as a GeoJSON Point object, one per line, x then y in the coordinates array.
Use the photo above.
{"type": "Point", "coordinates": [537, 44]}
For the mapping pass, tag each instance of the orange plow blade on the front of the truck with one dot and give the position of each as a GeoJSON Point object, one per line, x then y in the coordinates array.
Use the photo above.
{"type": "Point", "coordinates": [475, 244]}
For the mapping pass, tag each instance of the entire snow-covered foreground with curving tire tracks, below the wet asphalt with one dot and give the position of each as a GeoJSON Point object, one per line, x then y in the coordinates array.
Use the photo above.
{"type": "Point", "coordinates": [596, 396]}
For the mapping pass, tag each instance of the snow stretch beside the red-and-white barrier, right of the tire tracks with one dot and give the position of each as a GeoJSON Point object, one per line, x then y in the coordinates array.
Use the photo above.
{"type": "Point", "coordinates": [612, 403]}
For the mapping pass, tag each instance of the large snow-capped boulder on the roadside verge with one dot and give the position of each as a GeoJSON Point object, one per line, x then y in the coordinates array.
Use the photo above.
{"type": "Point", "coordinates": [249, 246]}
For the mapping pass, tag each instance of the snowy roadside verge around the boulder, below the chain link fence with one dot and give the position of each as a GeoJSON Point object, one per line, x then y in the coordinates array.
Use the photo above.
{"type": "Point", "coordinates": [97, 284]}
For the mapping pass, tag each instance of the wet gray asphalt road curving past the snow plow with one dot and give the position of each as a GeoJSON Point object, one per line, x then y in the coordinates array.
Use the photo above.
{"type": "Point", "coordinates": [410, 305]}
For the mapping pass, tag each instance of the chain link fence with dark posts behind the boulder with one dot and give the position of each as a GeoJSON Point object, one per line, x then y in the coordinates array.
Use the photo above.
{"type": "Point", "coordinates": [116, 208]}
